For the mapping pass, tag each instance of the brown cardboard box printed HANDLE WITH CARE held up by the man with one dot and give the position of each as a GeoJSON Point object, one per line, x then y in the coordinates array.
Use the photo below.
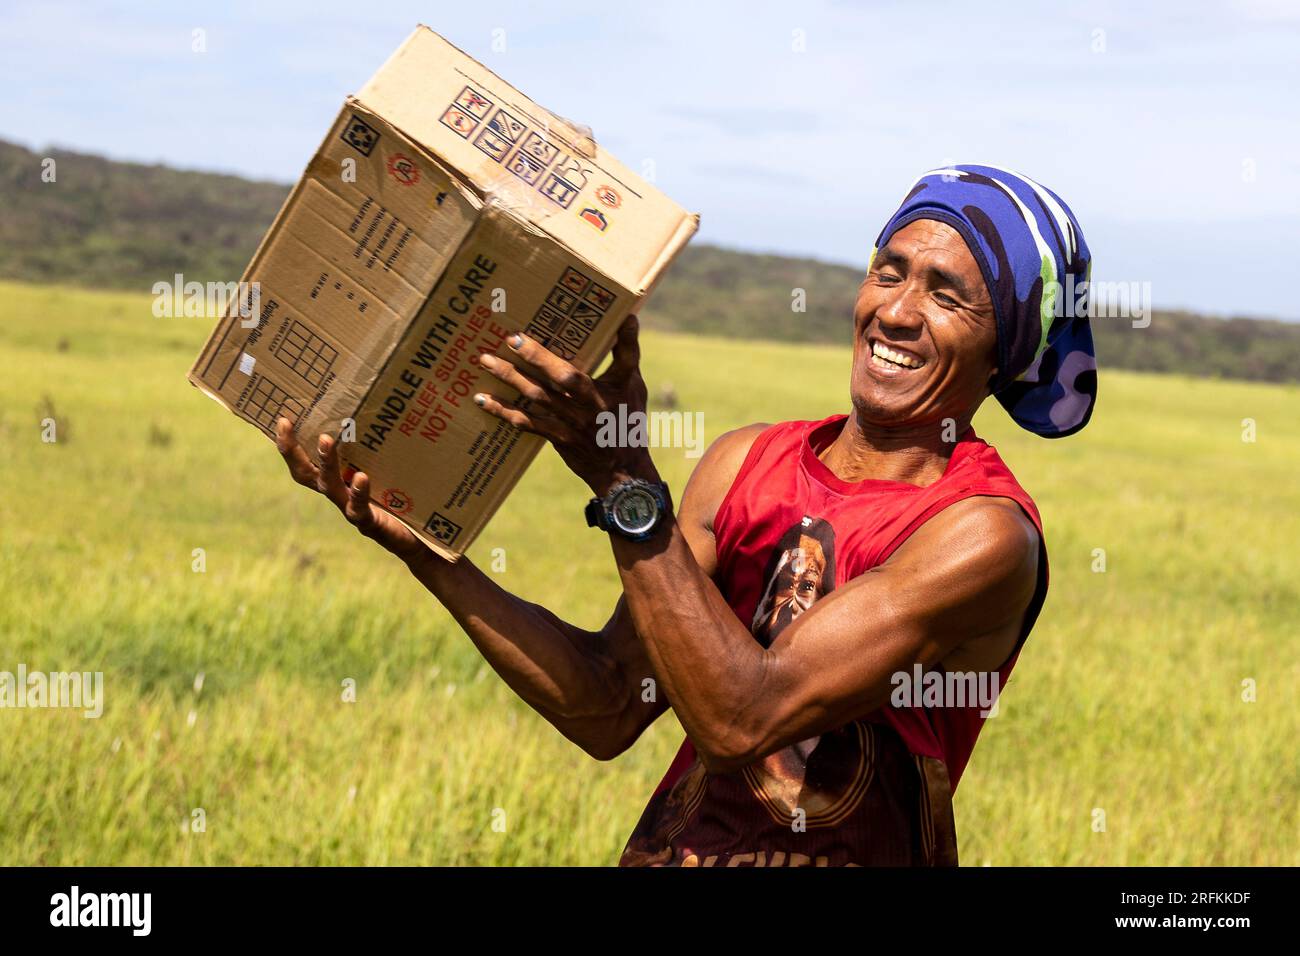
{"type": "Point", "coordinates": [443, 211]}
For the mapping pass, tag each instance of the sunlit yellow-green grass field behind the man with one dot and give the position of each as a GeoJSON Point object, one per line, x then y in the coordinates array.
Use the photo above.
{"type": "Point", "coordinates": [1128, 699]}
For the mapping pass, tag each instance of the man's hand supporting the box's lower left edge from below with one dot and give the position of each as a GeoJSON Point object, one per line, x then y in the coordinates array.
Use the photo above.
{"type": "Point", "coordinates": [353, 500]}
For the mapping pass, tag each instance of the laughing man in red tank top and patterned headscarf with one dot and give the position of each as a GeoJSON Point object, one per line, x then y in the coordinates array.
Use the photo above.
{"type": "Point", "coordinates": [809, 566]}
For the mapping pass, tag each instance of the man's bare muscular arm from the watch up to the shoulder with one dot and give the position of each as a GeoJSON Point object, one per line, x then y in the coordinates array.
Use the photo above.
{"type": "Point", "coordinates": [967, 578]}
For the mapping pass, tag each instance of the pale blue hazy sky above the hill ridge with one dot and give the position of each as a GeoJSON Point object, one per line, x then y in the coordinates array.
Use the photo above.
{"type": "Point", "coordinates": [1172, 131]}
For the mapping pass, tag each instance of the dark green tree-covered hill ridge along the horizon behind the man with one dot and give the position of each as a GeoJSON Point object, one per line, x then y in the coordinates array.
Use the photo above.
{"type": "Point", "coordinates": [127, 226]}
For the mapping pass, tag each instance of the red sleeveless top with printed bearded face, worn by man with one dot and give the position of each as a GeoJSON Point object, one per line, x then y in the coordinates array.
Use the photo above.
{"type": "Point", "coordinates": [878, 790]}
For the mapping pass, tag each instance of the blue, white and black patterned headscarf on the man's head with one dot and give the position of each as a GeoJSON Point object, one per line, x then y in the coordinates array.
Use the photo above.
{"type": "Point", "coordinates": [1037, 267]}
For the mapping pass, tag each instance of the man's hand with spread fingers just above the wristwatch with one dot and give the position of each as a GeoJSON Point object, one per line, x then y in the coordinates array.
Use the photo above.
{"type": "Point", "coordinates": [564, 405]}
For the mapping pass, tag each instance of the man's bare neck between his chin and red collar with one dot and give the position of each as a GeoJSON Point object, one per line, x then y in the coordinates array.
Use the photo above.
{"type": "Point", "coordinates": [917, 456]}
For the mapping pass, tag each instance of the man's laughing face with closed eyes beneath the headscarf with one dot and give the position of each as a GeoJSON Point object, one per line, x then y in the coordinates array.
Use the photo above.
{"type": "Point", "coordinates": [926, 339]}
